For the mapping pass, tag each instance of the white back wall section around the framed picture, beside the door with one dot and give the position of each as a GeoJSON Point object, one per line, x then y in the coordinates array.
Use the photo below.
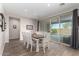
{"type": "Point", "coordinates": [24, 22]}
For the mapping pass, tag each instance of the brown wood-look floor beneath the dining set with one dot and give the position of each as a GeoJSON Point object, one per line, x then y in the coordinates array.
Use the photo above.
{"type": "Point", "coordinates": [16, 48]}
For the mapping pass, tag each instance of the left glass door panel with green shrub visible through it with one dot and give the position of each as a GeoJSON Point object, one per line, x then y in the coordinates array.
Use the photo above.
{"type": "Point", "coordinates": [54, 29]}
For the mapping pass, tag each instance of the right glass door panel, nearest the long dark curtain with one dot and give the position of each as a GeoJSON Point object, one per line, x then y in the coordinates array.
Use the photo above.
{"type": "Point", "coordinates": [66, 28]}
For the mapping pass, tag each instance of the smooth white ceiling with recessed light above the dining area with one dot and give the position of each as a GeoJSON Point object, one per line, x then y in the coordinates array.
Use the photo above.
{"type": "Point", "coordinates": [37, 10]}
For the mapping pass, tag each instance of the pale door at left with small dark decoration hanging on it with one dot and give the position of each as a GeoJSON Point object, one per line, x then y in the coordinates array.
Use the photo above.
{"type": "Point", "coordinates": [14, 28]}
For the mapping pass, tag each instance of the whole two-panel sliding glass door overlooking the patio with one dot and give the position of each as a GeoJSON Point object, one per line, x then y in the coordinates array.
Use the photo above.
{"type": "Point", "coordinates": [61, 28]}
